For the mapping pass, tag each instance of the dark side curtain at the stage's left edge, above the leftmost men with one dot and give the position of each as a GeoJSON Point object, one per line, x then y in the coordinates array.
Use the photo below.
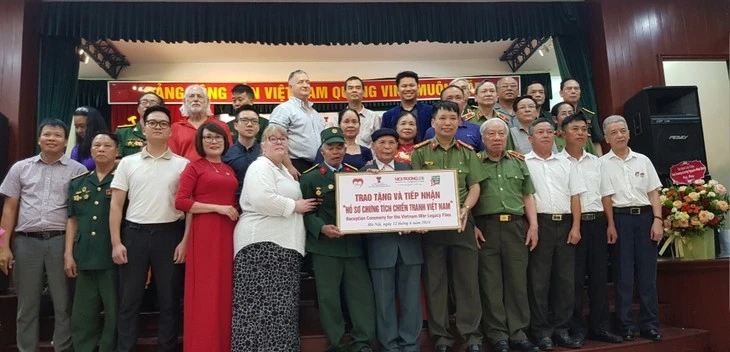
{"type": "Point", "coordinates": [58, 78]}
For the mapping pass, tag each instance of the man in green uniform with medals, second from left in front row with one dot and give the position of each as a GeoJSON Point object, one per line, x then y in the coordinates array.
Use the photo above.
{"type": "Point", "coordinates": [88, 252]}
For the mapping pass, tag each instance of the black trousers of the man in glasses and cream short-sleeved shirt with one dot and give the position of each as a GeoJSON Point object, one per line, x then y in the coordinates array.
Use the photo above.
{"type": "Point", "coordinates": [150, 245]}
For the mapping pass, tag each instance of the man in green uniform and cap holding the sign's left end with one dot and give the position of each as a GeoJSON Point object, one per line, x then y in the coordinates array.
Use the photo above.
{"type": "Point", "coordinates": [338, 261]}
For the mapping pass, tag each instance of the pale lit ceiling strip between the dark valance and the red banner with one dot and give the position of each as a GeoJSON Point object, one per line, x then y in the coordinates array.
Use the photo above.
{"type": "Point", "coordinates": [142, 53]}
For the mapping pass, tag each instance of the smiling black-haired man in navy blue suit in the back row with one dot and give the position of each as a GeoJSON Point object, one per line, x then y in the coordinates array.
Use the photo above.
{"type": "Point", "coordinates": [407, 83]}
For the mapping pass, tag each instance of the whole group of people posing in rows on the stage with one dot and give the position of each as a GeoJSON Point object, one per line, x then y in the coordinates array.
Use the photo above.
{"type": "Point", "coordinates": [242, 205]}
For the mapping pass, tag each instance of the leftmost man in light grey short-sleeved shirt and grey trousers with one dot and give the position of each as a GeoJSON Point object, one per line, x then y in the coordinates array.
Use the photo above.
{"type": "Point", "coordinates": [34, 218]}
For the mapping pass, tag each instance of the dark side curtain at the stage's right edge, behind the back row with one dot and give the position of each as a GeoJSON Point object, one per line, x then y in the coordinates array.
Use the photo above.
{"type": "Point", "coordinates": [574, 61]}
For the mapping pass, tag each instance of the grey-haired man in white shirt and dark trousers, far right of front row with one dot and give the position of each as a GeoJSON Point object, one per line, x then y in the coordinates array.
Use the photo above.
{"type": "Point", "coordinates": [637, 221]}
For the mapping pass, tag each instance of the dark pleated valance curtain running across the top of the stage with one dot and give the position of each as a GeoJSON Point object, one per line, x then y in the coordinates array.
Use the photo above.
{"type": "Point", "coordinates": [308, 23]}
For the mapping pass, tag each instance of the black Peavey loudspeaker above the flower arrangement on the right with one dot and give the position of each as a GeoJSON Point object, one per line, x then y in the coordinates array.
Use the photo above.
{"type": "Point", "coordinates": [666, 126]}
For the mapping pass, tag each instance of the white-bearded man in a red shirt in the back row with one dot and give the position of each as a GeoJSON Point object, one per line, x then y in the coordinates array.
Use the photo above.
{"type": "Point", "coordinates": [196, 107]}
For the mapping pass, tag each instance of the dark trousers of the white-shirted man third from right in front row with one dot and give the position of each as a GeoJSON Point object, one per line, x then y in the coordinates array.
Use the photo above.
{"type": "Point", "coordinates": [551, 279]}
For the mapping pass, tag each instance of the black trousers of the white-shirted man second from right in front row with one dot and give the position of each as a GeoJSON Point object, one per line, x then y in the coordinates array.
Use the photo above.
{"type": "Point", "coordinates": [591, 259]}
